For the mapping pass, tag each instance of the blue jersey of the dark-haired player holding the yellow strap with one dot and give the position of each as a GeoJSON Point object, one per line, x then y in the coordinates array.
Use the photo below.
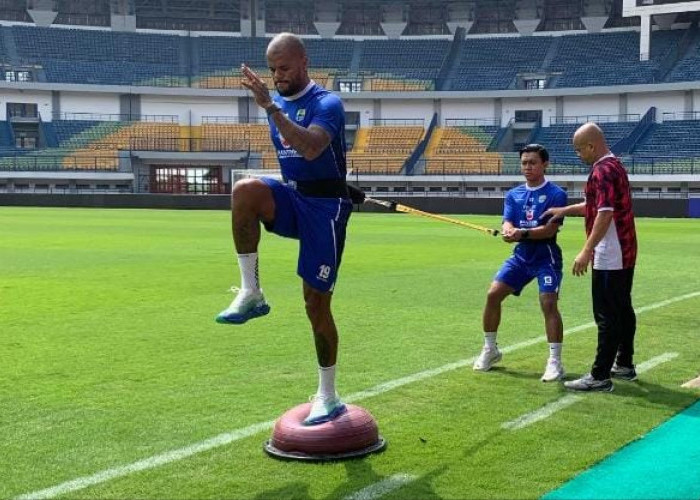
{"type": "Point", "coordinates": [523, 208]}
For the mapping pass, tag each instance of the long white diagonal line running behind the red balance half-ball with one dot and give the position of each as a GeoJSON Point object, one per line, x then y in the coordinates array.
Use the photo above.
{"type": "Point", "coordinates": [229, 437]}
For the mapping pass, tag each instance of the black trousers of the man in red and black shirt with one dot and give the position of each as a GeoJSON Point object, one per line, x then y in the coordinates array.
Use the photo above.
{"type": "Point", "coordinates": [614, 315]}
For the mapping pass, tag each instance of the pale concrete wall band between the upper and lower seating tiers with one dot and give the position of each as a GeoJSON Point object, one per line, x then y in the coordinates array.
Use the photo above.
{"type": "Point", "coordinates": [190, 105]}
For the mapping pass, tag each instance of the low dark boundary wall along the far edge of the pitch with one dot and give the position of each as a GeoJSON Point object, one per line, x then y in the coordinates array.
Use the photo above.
{"type": "Point", "coordinates": [446, 205]}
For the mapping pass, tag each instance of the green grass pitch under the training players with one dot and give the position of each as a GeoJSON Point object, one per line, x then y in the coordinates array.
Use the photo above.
{"type": "Point", "coordinates": [109, 355]}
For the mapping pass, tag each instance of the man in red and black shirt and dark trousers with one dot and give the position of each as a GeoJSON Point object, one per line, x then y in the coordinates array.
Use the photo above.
{"type": "Point", "coordinates": [611, 245]}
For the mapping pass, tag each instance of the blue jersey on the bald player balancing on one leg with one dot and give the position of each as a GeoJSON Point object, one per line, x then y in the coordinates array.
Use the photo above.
{"type": "Point", "coordinates": [312, 106]}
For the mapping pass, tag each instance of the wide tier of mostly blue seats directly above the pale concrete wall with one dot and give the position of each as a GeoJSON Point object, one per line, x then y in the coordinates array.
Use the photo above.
{"type": "Point", "coordinates": [569, 61]}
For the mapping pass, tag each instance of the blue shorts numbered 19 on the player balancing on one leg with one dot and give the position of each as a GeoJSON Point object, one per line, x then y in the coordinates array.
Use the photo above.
{"type": "Point", "coordinates": [319, 224]}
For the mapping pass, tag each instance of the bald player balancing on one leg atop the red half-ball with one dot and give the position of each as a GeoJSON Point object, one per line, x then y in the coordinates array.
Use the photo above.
{"type": "Point", "coordinates": [311, 204]}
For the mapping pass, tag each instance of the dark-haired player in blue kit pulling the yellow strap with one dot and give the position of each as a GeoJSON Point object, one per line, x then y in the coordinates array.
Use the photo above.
{"type": "Point", "coordinates": [536, 256]}
